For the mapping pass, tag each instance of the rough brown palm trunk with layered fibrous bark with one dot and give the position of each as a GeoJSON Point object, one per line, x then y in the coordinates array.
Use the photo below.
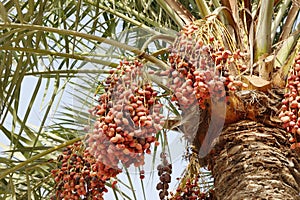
{"type": "Point", "coordinates": [253, 161]}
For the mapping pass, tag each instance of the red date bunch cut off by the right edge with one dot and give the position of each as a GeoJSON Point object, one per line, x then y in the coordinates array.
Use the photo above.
{"type": "Point", "coordinates": [290, 109]}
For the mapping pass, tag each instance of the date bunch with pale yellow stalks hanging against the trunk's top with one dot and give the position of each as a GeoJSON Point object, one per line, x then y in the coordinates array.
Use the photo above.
{"type": "Point", "coordinates": [201, 68]}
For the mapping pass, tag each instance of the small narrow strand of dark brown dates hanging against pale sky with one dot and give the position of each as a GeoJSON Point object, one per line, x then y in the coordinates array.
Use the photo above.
{"type": "Point", "coordinates": [164, 173]}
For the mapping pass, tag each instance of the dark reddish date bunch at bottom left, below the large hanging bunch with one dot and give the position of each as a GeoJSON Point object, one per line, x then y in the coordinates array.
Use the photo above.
{"type": "Point", "coordinates": [79, 175]}
